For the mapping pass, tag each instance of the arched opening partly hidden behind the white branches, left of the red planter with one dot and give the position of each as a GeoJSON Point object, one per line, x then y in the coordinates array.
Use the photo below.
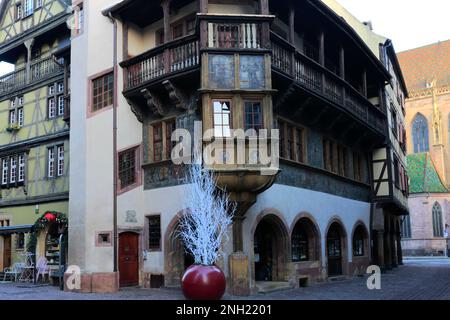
{"type": "Point", "coordinates": [177, 257]}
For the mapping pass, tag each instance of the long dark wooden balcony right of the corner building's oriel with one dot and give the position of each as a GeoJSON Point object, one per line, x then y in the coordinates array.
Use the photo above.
{"type": "Point", "coordinates": [315, 78]}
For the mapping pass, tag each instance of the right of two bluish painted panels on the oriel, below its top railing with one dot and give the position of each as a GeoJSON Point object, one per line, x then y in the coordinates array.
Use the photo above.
{"type": "Point", "coordinates": [252, 72]}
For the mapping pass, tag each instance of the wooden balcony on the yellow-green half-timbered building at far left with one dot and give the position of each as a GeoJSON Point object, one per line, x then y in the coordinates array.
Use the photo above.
{"type": "Point", "coordinates": [39, 70]}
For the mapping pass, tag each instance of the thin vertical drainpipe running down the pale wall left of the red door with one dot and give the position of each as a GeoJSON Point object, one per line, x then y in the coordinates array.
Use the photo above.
{"type": "Point", "coordinates": [115, 243]}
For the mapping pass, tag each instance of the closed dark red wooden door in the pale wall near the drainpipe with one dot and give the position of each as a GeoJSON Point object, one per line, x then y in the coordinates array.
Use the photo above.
{"type": "Point", "coordinates": [129, 259]}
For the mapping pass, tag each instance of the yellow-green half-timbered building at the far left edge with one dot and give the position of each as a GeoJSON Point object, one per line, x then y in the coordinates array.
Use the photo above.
{"type": "Point", "coordinates": [34, 136]}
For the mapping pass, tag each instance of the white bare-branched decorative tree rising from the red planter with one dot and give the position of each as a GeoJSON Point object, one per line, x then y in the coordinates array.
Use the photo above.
{"type": "Point", "coordinates": [204, 226]}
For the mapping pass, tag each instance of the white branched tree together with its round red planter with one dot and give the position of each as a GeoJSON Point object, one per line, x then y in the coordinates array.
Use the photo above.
{"type": "Point", "coordinates": [204, 229]}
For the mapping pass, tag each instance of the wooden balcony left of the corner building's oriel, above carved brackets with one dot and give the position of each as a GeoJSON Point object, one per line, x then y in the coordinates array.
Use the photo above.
{"type": "Point", "coordinates": [170, 58]}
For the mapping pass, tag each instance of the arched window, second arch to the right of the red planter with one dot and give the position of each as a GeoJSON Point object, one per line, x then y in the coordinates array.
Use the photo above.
{"type": "Point", "coordinates": [305, 241]}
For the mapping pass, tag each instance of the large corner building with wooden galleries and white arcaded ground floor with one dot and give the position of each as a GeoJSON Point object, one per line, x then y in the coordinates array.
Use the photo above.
{"type": "Point", "coordinates": [141, 69]}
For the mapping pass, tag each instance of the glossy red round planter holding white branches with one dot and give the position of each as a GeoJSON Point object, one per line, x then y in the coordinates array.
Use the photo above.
{"type": "Point", "coordinates": [203, 283]}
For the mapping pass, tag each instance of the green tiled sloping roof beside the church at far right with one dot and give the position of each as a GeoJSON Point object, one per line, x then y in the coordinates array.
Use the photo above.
{"type": "Point", "coordinates": [423, 176]}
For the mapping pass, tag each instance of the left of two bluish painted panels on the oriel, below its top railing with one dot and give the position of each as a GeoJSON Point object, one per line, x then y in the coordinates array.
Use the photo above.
{"type": "Point", "coordinates": [221, 71]}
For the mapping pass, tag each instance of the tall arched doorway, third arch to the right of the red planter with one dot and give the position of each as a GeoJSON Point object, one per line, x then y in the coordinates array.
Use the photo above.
{"type": "Point", "coordinates": [335, 249]}
